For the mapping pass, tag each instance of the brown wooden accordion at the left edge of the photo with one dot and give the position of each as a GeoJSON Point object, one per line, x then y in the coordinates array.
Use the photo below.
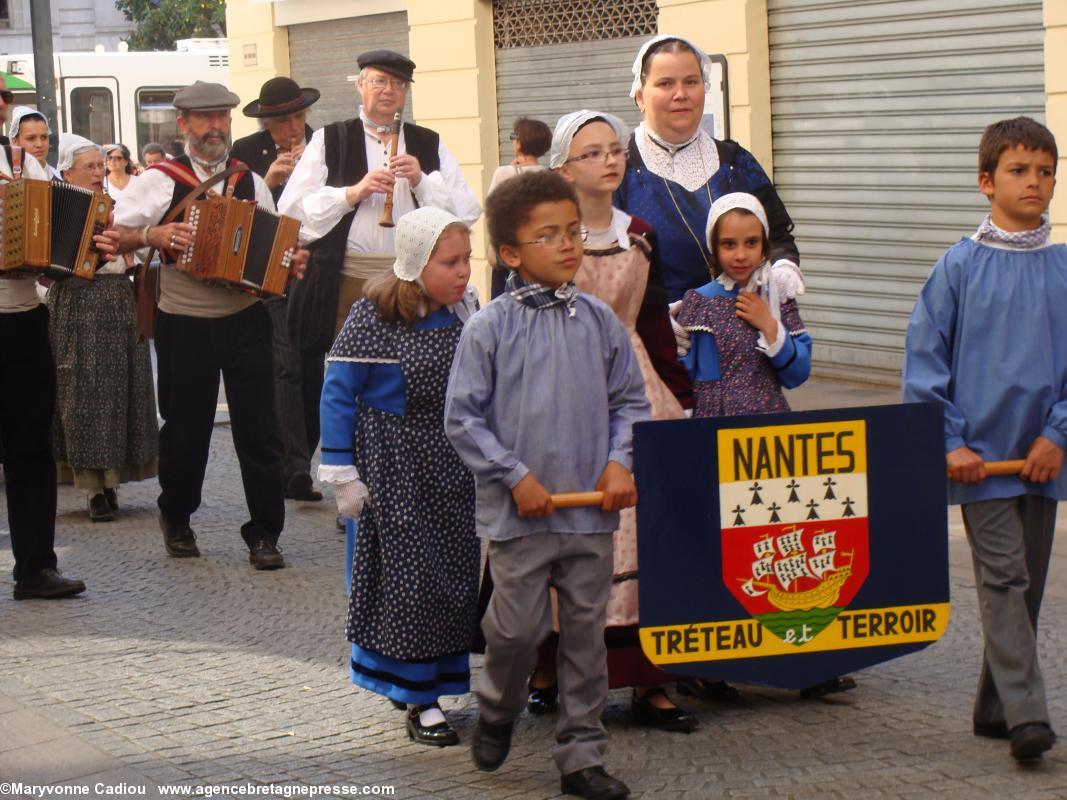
{"type": "Point", "coordinates": [50, 228]}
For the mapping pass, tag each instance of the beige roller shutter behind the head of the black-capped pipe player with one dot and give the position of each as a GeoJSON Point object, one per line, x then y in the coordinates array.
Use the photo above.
{"type": "Point", "coordinates": [323, 55]}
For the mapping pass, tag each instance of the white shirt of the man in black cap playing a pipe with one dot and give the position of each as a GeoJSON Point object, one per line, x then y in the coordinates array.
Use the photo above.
{"type": "Point", "coordinates": [320, 207]}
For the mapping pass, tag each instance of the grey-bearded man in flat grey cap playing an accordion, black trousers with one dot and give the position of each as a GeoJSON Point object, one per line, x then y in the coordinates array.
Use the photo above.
{"type": "Point", "coordinates": [204, 331]}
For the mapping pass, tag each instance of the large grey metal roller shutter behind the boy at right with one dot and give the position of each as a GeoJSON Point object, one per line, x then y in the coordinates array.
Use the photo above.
{"type": "Point", "coordinates": [878, 109]}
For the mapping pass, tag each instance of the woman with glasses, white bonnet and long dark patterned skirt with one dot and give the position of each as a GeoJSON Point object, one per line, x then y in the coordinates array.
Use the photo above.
{"type": "Point", "coordinates": [106, 429]}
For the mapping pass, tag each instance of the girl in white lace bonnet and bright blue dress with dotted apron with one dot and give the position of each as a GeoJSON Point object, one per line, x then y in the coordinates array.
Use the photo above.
{"type": "Point", "coordinates": [415, 565]}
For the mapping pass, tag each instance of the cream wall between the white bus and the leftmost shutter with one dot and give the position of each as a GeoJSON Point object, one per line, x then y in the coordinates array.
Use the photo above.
{"type": "Point", "coordinates": [259, 52]}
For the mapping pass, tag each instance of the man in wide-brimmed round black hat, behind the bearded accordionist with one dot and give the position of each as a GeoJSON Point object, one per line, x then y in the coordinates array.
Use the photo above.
{"type": "Point", "coordinates": [273, 154]}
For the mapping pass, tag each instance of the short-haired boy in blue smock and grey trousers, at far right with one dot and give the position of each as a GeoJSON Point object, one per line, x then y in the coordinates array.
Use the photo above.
{"type": "Point", "coordinates": [989, 342]}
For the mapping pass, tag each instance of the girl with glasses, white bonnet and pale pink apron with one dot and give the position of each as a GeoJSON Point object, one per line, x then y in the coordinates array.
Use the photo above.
{"type": "Point", "coordinates": [622, 268]}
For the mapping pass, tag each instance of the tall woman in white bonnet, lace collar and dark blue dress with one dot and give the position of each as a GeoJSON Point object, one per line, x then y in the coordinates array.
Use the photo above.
{"type": "Point", "coordinates": [677, 170]}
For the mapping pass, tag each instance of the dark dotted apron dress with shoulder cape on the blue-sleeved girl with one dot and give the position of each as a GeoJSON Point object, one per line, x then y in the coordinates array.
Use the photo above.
{"type": "Point", "coordinates": [417, 565]}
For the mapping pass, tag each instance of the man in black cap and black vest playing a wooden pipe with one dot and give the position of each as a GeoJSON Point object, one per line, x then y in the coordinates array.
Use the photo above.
{"type": "Point", "coordinates": [339, 191]}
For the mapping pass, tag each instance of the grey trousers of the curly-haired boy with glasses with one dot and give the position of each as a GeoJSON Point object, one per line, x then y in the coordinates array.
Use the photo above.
{"type": "Point", "coordinates": [520, 617]}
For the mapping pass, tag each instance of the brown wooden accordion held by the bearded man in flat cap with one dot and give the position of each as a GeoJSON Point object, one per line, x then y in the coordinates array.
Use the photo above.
{"type": "Point", "coordinates": [238, 244]}
